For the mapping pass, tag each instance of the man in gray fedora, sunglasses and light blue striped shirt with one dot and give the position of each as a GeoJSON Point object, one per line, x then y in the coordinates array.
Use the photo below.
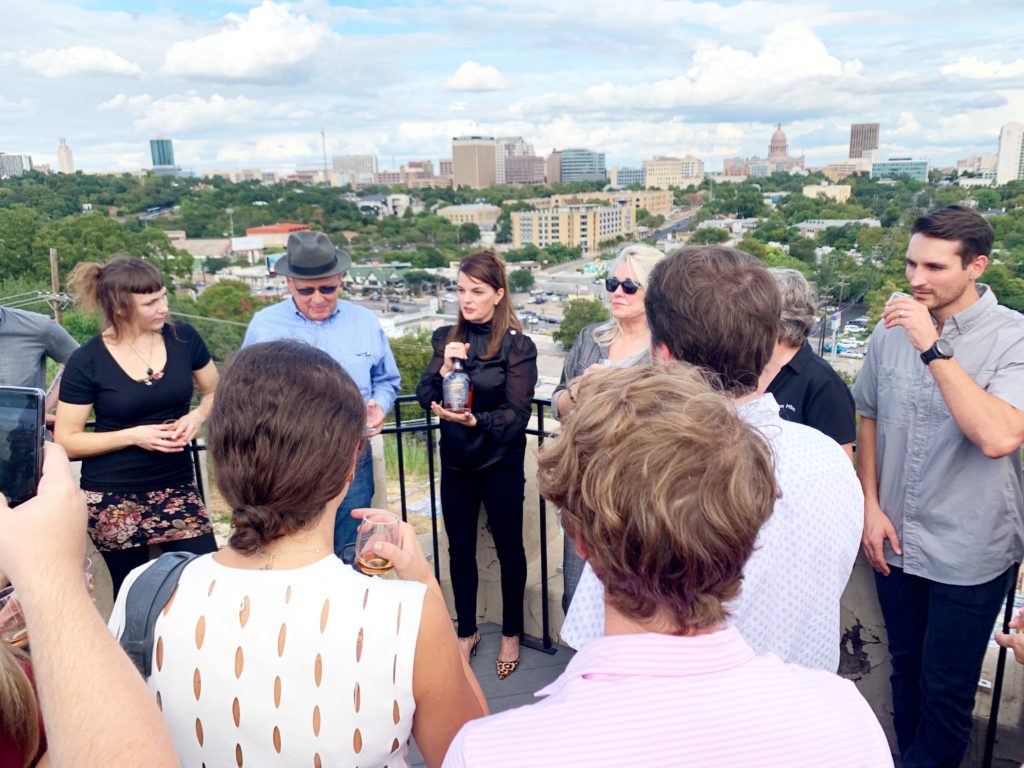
{"type": "Point", "coordinates": [351, 334]}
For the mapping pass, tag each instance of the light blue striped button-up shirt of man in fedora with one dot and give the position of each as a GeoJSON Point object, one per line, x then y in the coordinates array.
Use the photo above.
{"type": "Point", "coordinates": [353, 336]}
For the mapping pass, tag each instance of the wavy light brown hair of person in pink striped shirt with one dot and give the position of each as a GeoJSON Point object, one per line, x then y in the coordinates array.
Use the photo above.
{"type": "Point", "coordinates": [665, 488]}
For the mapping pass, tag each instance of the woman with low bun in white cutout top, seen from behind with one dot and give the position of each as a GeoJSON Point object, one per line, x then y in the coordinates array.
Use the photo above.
{"type": "Point", "coordinates": [273, 652]}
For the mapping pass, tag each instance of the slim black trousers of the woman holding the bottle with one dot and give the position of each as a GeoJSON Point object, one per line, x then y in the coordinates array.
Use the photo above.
{"type": "Point", "coordinates": [501, 489]}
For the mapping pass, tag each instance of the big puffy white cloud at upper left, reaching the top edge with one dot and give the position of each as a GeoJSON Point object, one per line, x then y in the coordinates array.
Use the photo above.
{"type": "Point", "coordinates": [271, 45]}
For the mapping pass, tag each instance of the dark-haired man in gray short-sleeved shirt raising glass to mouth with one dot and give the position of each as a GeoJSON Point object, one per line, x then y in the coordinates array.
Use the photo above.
{"type": "Point", "coordinates": [942, 405]}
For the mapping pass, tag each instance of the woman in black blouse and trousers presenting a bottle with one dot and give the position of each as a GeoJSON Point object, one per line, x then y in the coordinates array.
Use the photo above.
{"type": "Point", "coordinates": [483, 452]}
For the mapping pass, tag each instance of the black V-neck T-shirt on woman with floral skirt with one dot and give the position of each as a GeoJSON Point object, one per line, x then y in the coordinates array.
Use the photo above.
{"type": "Point", "coordinates": [93, 377]}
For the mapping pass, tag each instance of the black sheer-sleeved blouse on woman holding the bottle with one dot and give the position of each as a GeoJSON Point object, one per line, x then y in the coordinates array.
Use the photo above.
{"type": "Point", "coordinates": [503, 397]}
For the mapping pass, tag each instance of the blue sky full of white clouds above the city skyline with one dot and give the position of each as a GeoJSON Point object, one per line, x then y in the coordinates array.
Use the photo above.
{"type": "Point", "coordinates": [250, 84]}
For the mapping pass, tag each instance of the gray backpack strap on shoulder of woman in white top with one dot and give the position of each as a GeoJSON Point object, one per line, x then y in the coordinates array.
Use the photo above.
{"type": "Point", "coordinates": [146, 600]}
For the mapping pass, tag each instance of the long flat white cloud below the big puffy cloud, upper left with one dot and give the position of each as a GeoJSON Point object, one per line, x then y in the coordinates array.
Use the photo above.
{"type": "Point", "coordinates": [183, 113]}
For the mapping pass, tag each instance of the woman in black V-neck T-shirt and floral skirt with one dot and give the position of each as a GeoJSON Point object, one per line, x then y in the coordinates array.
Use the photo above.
{"type": "Point", "coordinates": [138, 377]}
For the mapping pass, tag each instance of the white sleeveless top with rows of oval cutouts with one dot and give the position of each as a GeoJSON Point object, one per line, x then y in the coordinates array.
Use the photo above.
{"type": "Point", "coordinates": [311, 667]}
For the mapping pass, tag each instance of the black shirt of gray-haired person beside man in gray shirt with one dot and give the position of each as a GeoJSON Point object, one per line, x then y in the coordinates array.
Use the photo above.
{"type": "Point", "coordinates": [809, 392]}
